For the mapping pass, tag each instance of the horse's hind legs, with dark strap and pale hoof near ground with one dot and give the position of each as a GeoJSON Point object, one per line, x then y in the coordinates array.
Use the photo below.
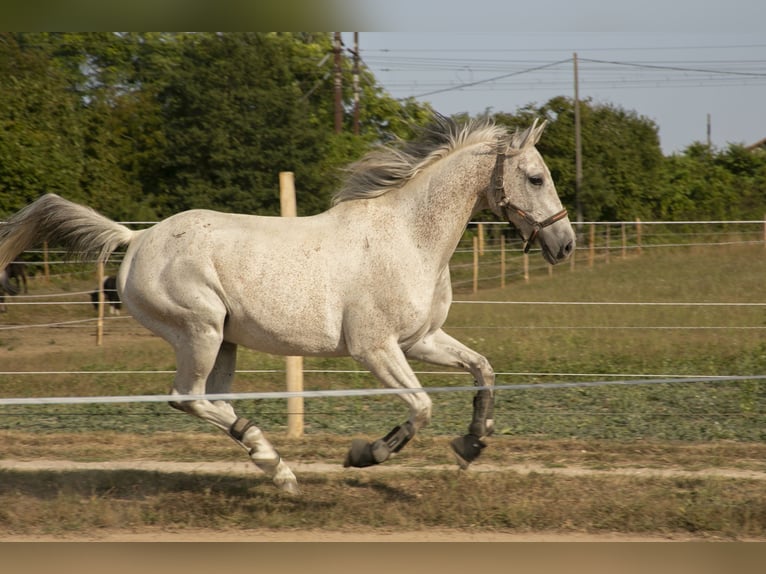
{"type": "Point", "coordinates": [196, 360]}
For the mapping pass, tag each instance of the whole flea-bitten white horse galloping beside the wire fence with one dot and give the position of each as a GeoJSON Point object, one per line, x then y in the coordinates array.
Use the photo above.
{"type": "Point", "coordinates": [368, 278]}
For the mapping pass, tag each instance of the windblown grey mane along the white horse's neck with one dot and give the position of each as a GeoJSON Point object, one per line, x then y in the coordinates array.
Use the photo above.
{"type": "Point", "coordinates": [391, 166]}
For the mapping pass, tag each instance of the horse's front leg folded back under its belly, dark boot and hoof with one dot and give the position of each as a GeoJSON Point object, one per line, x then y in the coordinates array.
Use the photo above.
{"type": "Point", "coordinates": [390, 366]}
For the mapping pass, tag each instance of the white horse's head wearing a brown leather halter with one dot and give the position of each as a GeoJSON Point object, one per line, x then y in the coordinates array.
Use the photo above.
{"type": "Point", "coordinates": [522, 191]}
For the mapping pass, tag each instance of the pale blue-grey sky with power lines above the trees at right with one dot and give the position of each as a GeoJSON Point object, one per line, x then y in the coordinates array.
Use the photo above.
{"type": "Point", "coordinates": [674, 62]}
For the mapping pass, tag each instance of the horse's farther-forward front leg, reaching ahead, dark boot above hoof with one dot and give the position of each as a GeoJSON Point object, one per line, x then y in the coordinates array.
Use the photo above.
{"type": "Point", "coordinates": [441, 349]}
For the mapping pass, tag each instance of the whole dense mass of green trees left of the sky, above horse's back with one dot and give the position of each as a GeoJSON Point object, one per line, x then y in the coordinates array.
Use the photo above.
{"type": "Point", "coordinates": [142, 125]}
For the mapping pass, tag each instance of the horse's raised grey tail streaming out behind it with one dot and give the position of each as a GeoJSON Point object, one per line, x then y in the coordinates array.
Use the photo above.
{"type": "Point", "coordinates": [51, 218]}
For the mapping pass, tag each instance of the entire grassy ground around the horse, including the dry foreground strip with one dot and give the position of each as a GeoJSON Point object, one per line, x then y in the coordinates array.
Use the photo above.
{"type": "Point", "coordinates": [695, 426]}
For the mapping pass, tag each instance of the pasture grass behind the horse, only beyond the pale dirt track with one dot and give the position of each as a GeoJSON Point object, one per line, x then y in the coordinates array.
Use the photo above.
{"type": "Point", "coordinates": [595, 340]}
